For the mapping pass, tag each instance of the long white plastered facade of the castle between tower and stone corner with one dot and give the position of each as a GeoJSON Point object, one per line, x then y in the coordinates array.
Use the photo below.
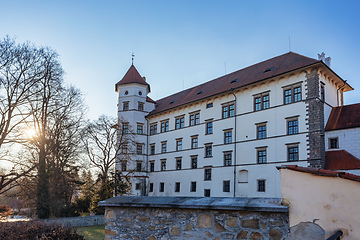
{"type": "Point", "coordinates": [247, 143]}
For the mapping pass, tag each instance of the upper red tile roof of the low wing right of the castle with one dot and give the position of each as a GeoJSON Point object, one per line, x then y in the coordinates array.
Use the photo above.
{"type": "Point", "coordinates": [343, 117]}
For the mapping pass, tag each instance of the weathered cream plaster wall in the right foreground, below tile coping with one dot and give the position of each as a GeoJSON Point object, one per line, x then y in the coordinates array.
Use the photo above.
{"type": "Point", "coordinates": [331, 200]}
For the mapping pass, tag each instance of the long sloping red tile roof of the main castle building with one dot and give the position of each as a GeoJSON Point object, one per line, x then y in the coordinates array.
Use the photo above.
{"type": "Point", "coordinates": [252, 74]}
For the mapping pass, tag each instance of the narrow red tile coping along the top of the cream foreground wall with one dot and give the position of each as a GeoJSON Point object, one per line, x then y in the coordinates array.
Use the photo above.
{"type": "Point", "coordinates": [321, 172]}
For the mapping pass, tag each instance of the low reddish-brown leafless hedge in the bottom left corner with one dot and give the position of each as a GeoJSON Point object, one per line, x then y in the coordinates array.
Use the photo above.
{"type": "Point", "coordinates": [34, 230]}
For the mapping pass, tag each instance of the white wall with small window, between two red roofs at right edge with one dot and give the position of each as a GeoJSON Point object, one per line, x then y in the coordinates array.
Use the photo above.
{"type": "Point", "coordinates": [348, 139]}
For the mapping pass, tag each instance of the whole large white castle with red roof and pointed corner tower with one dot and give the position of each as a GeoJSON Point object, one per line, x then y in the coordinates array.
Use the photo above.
{"type": "Point", "coordinates": [224, 138]}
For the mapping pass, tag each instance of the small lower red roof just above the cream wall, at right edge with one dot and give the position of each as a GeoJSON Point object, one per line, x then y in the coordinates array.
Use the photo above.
{"type": "Point", "coordinates": [341, 160]}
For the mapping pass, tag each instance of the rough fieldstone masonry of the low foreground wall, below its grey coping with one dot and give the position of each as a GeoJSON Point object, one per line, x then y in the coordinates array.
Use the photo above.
{"type": "Point", "coordinates": [175, 223]}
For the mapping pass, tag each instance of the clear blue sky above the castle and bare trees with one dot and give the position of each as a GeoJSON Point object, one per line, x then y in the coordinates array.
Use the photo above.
{"type": "Point", "coordinates": [180, 44]}
